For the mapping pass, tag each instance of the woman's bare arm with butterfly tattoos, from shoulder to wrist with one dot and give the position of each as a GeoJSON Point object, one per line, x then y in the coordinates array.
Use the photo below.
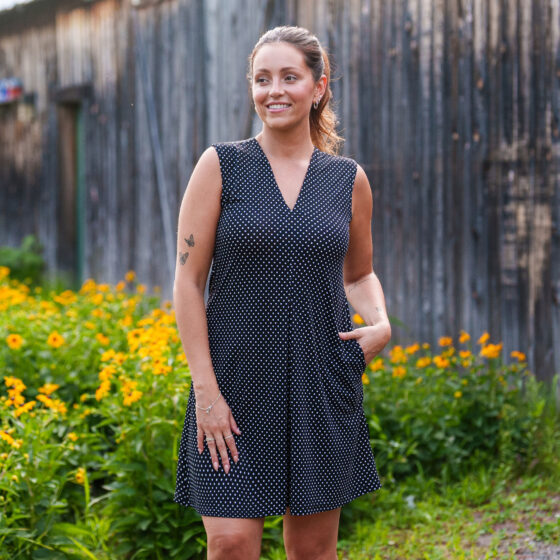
{"type": "Point", "coordinates": [198, 218]}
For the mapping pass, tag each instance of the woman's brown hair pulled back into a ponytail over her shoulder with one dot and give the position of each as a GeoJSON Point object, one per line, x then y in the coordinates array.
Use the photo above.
{"type": "Point", "coordinates": [322, 120]}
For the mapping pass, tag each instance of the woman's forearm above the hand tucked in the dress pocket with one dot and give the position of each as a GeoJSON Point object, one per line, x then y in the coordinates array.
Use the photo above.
{"type": "Point", "coordinates": [367, 299]}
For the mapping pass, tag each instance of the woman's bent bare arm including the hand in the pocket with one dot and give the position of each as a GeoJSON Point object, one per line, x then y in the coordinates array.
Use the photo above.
{"type": "Point", "coordinates": [363, 288]}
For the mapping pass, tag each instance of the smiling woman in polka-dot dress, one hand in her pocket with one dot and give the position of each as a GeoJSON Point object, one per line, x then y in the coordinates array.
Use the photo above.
{"type": "Point", "coordinates": [276, 393]}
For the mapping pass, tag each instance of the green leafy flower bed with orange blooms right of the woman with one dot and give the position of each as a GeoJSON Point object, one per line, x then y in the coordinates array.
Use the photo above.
{"type": "Point", "coordinates": [442, 421]}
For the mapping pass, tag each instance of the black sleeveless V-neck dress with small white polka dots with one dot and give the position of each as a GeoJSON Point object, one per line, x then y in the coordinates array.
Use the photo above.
{"type": "Point", "coordinates": [275, 306]}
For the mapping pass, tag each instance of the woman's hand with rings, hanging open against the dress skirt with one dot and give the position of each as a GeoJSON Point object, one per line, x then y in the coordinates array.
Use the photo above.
{"type": "Point", "coordinates": [216, 425]}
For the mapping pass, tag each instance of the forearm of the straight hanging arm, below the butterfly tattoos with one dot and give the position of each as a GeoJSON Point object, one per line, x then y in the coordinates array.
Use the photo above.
{"type": "Point", "coordinates": [190, 315]}
